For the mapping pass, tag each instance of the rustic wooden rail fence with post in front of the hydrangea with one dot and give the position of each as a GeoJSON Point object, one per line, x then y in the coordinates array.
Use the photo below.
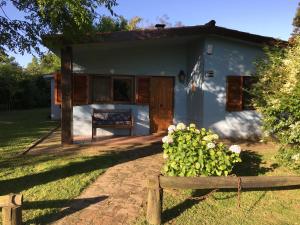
{"type": "Point", "coordinates": [157, 184]}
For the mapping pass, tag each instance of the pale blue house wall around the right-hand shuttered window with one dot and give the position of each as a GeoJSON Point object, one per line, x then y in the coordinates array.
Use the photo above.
{"type": "Point", "coordinates": [229, 58]}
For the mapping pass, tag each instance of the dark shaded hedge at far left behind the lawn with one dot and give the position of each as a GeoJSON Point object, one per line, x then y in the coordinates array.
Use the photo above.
{"type": "Point", "coordinates": [23, 89]}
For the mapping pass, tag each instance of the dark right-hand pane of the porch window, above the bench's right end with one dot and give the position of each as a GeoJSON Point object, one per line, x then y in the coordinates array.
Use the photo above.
{"type": "Point", "coordinates": [122, 89]}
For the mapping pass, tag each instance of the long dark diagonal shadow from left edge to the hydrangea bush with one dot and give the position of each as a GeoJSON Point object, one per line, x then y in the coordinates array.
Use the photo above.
{"type": "Point", "coordinates": [90, 164]}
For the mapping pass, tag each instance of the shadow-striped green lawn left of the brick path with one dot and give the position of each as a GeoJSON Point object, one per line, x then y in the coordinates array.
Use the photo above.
{"type": "Point", "coordinates": [48, 181]}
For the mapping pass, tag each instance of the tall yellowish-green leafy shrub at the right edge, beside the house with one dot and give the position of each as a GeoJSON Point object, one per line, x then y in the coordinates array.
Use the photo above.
{"type": "Point", "coordinates": [277, 95]}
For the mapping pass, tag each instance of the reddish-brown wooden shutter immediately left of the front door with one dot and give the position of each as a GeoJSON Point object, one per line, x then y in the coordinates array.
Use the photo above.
{"type": "Point", "coordinates": [143, 90]}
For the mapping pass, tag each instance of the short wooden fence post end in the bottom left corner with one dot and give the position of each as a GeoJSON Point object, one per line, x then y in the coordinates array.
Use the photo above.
{"type": "Point", "coordinates": [11, 209]}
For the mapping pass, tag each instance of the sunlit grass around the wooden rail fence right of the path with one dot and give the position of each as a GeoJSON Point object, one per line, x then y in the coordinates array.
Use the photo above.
{"type": "Point", "coordinates": [263, 207]}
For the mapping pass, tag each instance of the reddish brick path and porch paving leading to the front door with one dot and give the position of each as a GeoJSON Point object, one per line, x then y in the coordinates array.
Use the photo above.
{"type": "Point", "coordinates": [119, 195]}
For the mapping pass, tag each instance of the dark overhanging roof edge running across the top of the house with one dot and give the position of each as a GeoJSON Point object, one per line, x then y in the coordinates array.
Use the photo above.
{"type": "Point", "coordinates": [173, 32]}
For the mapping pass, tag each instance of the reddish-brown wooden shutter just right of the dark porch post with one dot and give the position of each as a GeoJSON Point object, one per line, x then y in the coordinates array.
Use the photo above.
{"type": "Point", "coordinates": [80, 89]}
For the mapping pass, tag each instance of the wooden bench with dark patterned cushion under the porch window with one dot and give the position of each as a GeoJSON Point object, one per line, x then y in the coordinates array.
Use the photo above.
{"type": "Point", "coordinates": [122, 119]}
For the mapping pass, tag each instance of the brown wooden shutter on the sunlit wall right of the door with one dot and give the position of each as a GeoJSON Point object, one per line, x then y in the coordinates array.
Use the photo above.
{"type": "Point", "coordinates": [234, 93]}
